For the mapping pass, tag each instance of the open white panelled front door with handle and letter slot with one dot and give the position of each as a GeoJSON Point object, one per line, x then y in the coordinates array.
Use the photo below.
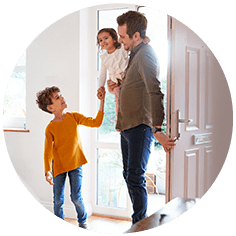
{"type": "Point", "coordinates": [199, 92]}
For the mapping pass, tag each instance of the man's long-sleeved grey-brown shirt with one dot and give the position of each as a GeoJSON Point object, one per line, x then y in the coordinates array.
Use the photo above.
{"type": "Point", "coordinates": [140, 97]}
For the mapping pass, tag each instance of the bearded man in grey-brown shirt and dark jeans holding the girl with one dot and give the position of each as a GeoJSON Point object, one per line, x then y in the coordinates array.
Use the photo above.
{"type": "Point", "coordinates": [141, 111]}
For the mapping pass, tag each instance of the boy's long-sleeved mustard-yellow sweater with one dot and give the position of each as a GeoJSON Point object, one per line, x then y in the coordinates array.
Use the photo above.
{"type": "Point", "coordinates": [63, 150]}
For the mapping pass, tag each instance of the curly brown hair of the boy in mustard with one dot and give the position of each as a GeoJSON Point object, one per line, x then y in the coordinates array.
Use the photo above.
{"type": "Point", "coordinates": [44, 97]}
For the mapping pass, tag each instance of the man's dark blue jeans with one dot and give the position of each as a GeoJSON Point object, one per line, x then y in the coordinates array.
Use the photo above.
{"type": "Point", "coordinates": [135, 145]}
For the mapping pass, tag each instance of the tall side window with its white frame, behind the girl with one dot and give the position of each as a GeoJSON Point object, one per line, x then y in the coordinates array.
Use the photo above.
{"type": "Point", "coordinates": [110, 191]}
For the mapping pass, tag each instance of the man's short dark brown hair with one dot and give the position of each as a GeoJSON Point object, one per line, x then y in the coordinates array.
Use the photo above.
{"type": "Point", "coordinates": [136, 22]}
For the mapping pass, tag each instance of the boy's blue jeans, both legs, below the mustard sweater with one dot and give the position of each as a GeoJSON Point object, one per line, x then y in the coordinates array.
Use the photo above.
{"type": "Point", "coordinates": [75, 177]}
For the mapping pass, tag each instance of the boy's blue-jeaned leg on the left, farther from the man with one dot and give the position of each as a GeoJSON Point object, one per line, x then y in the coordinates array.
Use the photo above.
{"type": "Point", "coordinates": [58, 195]}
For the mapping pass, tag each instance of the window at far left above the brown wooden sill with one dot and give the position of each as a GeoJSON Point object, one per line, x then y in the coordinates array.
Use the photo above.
{"type": "Point", "coordinates": [14, 107]}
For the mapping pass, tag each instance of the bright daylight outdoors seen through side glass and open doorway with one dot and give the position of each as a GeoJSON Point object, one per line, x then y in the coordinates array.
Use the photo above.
{"type": "Point", "coordinates": [111, 185]}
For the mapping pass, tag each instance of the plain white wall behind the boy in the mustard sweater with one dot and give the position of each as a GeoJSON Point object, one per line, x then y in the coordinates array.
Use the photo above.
{"type": "Point", "coordinates": [52, 59]}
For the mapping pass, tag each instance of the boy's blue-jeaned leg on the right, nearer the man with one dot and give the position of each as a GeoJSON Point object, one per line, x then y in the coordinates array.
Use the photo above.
{"type": "Point", "coordinates": [75, 177]}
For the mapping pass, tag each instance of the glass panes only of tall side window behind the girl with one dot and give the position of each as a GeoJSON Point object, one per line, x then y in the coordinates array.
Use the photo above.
{"type": "Point", "coordinates": [110, 183]}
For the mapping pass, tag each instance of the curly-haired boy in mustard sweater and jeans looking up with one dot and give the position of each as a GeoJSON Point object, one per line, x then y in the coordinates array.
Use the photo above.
{"type": "Point", "coordinates": [63, 153]}
